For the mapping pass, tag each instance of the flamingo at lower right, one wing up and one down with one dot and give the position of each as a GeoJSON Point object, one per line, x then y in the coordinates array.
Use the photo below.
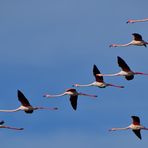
{"type": "Point", "coordinates": [136, 127]}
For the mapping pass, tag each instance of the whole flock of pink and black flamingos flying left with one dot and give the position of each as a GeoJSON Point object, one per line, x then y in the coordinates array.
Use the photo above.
{"type": "Point", "coordinates": [99, 82]}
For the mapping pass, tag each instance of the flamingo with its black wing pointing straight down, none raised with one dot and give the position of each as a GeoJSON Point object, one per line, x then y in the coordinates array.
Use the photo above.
{"type": "Point", "coordinates": [73, 96]}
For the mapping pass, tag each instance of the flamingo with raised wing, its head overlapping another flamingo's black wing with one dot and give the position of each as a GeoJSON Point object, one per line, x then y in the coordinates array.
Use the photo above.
{"type": "Point", "coordinates": [126, 71]}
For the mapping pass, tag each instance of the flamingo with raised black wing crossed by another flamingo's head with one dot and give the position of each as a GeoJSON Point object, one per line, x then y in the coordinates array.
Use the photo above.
{"type": "Point", "coordinates": [99, 80]}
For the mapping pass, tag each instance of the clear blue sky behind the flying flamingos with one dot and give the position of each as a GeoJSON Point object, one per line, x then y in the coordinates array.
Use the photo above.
{"type": "Point", "coordinates": [48, 45]}
